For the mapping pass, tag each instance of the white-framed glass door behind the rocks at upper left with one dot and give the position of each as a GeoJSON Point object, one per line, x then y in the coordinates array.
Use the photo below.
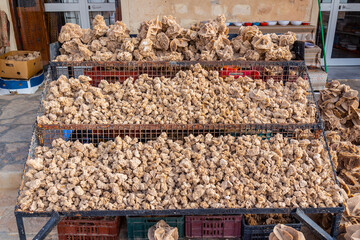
{"type": "Point", "coordinates": [81, 12]}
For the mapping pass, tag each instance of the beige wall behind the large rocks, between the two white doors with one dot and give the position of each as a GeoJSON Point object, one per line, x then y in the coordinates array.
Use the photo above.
{"type": "Point", "coordinates": [188, 12]}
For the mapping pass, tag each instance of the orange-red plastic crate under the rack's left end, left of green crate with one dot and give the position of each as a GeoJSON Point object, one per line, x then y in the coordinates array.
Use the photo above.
{"type": "Point", "coordinates": [99, 228]}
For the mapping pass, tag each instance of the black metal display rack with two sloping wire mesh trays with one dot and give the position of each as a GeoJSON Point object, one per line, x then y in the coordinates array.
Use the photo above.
{"type": "Point", "coordinates": [94, 133]}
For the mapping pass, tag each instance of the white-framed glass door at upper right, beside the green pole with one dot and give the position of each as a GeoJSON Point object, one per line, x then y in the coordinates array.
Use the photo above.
{"type": "Point", "coordinates": [341, 31]}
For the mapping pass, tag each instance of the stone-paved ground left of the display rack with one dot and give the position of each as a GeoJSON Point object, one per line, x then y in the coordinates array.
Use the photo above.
{"type": "Point", "coordinates": [17, 116]}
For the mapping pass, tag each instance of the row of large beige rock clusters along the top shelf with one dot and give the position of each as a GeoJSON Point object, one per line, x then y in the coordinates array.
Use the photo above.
{"type": "Point", "coordinates": [163, 39]}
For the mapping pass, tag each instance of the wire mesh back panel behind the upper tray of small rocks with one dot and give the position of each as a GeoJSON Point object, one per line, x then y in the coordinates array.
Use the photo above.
{"type": "Point", "coordinates": [120, 71]}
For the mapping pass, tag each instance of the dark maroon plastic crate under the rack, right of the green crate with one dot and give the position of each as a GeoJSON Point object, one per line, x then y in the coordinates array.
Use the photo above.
{"type": "Point", "coordinates": [213, 226]}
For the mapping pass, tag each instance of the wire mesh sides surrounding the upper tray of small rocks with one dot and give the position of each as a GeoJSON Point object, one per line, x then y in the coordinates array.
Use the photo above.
{"type": "Point", "coordinates": [119, 71]}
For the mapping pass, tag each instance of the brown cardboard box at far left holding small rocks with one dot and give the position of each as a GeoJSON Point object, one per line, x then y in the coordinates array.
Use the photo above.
{"type": "Point", "coordinates": [19, 69]}
